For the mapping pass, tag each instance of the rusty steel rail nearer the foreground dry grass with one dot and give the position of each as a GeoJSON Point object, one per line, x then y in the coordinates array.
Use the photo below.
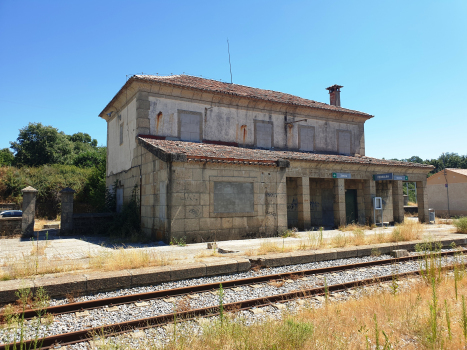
{"type": "Point", "coordinates": [123, 327]}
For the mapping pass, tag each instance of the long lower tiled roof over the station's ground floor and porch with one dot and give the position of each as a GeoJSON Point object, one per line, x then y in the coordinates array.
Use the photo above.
{"type": "Point", "coordinates": [205, 152]}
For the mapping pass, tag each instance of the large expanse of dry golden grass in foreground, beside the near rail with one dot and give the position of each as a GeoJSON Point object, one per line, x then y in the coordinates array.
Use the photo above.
{"type": "Point", "coordinates": [420, 317]}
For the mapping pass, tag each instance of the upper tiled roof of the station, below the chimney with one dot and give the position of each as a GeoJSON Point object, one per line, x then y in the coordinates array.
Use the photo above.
{"type": "Point", "coordinates": [203, 84]}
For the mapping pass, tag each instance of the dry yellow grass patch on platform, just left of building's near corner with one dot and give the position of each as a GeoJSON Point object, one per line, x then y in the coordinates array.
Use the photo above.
{"type": "Point", "coordinates": [122, 258]}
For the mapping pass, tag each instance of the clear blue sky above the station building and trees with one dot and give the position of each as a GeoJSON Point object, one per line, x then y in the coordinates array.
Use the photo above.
{"type": "Point", "coordinates": [405, 62]}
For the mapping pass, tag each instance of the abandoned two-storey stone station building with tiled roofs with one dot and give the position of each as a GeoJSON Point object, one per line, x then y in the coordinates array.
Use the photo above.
{"type": "Point", "coordinates": [217, 161]}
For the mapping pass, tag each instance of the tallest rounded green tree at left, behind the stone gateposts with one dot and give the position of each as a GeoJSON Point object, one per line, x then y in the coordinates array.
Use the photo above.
{"type": "Point", "coordinates": [38, 144]}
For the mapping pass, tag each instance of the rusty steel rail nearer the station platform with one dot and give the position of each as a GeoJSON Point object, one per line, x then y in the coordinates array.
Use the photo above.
{"type": "Point", "coordinates": [125, 299]}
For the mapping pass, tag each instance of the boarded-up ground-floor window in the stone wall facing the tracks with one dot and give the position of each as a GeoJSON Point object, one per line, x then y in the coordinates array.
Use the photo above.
{"type": "Point", "coordinates": [233, 197]}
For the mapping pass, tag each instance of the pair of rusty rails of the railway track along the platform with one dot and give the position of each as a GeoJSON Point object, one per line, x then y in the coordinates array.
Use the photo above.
{"type": "Point", "coordinates": [123, 327]}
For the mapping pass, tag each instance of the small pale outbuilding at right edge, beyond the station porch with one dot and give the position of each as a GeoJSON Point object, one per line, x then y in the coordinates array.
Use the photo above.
{"type": "Point", "coordinates": [447, 192]}
